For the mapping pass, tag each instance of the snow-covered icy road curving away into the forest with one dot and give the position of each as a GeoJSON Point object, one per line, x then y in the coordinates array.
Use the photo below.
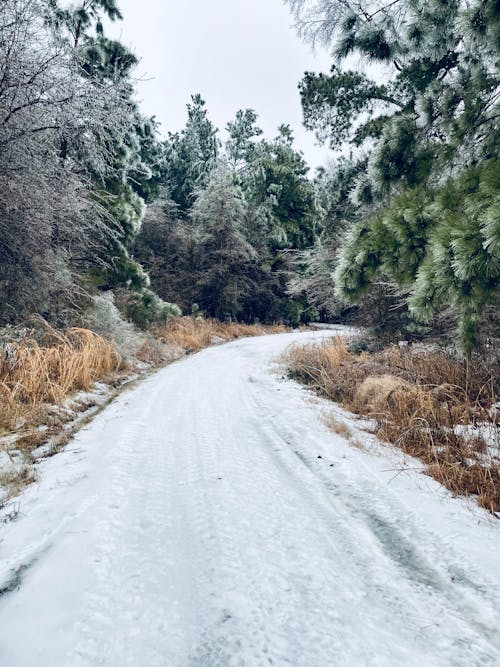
{"type": "Point", "coordinates": [208, 517]}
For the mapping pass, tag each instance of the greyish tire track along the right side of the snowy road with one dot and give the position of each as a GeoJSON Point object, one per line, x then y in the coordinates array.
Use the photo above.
{"type": "Point", "coordinates": [378, 513]}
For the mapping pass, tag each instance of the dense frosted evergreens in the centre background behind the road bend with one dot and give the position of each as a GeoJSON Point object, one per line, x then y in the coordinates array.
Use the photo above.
{"type": "Point", "coordinates": [222, 237]}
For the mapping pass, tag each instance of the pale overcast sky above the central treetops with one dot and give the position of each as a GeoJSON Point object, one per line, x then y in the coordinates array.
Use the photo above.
{"type": "Point", "coordinates": [236, 53]}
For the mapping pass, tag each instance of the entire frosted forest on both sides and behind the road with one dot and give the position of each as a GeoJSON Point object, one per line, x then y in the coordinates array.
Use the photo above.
{"type": "Point", "coordinates": [400, 231]}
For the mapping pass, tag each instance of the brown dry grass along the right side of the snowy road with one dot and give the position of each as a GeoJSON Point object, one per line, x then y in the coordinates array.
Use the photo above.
{"type": "Point", "coordinates": [434, 406]}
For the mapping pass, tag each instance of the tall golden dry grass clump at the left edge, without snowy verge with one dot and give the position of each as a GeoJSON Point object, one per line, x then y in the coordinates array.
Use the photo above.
{"type": "Point", "coordinates": [33, 374]}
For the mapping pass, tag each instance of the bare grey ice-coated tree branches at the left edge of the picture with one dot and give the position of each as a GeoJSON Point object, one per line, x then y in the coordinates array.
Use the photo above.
{"type": "Point", "coordinates": [54, 123]}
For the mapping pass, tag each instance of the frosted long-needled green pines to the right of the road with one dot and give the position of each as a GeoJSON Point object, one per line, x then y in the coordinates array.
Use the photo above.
{"type": "Point", "coordinates": [412, 217]}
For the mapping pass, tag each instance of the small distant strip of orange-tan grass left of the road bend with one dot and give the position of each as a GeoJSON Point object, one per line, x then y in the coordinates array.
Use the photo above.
{"type": "Point", "coordinates": [195, 334]}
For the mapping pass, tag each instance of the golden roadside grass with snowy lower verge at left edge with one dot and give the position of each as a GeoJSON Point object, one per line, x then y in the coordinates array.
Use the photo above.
{"type": "Point", "coordinates": [37, 375]}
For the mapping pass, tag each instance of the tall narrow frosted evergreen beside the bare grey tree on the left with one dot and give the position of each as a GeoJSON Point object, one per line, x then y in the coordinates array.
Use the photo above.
{"type": "Point", "coordinates": [131, 170]}
